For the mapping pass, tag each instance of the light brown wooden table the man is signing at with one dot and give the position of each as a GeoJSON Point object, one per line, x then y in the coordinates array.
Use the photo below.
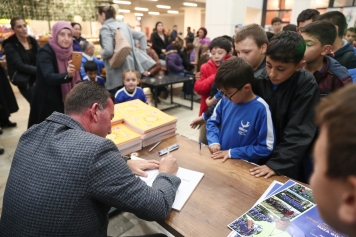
{"type": "Point", "coordinates": [226, 191]}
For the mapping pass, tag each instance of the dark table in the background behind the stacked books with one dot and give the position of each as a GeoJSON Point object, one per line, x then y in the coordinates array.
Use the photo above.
{"type": "Point", "coordinates": [168, 80]}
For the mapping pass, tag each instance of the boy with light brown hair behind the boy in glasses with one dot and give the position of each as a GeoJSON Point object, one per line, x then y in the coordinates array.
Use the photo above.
{"type": "Point", "coordinates": [250, 44]}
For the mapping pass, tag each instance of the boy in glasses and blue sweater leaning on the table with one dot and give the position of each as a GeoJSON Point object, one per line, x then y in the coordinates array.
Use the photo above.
{"type": "Point", "coordinates": [241, 125]}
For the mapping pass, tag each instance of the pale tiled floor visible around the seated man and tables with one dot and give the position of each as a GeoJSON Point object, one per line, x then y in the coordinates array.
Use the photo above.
{"type": "Point", "coordinates": [125, 224]}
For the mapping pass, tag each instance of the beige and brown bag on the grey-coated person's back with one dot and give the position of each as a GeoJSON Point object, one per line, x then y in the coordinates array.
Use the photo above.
{"type": "Point", "coordinates": [122, 49]}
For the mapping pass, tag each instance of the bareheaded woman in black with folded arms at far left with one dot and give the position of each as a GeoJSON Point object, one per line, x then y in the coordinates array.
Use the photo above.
{"type": "Point", "coordinates": [21, 55]}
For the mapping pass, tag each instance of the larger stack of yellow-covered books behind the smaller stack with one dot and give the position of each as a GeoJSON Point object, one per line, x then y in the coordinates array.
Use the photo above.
{"type": "Point", "coordinates": [151, 124]}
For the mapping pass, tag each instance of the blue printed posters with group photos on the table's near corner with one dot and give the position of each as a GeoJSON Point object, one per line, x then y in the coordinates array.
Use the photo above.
{"type": "Point", "coordinates": [285, 209]}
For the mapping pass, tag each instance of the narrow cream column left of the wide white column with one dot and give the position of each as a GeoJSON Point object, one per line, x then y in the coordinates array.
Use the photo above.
{"type": "Point", "coordinates": [192, 18]}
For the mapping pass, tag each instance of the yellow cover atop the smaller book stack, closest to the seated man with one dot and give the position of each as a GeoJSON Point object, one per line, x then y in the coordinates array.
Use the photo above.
{"type": "Point", "coordinates": [121, 134]}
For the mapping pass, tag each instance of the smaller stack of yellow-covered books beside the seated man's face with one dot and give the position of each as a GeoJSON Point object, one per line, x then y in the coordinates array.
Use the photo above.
{"type": "Point", "coordinates": [126, 140]}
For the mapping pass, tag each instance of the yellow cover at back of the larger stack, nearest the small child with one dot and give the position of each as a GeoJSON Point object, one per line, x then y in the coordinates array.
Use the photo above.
{"type": "Point", "coordinates": [133, 107]}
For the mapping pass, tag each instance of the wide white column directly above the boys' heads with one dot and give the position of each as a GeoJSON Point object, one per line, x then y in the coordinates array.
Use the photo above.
{"type": "Point", "coordinates": [222, 16]}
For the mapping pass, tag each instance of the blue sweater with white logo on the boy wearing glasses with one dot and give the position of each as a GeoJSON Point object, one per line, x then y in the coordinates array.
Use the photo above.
{"type": "Point", "coordinates": [246, 129]}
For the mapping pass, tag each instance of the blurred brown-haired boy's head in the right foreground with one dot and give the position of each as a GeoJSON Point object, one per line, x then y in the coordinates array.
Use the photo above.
{"type": "Point", "coordinates": [334, 177]}
